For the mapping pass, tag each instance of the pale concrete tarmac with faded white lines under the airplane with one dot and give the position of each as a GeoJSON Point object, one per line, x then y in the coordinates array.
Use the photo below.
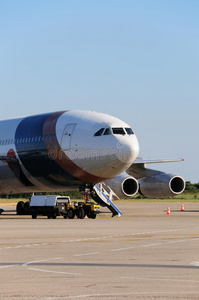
{"type": "Point", "coordinates": [145, 254]}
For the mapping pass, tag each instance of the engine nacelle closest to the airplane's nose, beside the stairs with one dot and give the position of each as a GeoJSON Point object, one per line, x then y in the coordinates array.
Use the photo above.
{"type": "Point", "coordinates": [124, 185]}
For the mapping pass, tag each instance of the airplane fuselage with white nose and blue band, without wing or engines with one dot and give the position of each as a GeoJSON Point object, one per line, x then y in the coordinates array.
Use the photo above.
{"type": "Point", "coordinates": [62, 150]}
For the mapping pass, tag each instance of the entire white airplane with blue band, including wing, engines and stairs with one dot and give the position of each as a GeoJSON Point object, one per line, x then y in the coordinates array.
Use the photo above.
{"type": "Point", "coordinates": [70, 150]}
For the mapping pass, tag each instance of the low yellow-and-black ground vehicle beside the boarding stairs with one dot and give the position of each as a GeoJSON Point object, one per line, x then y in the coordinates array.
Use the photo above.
{"type": "Point", "coordinates": [81, 209]}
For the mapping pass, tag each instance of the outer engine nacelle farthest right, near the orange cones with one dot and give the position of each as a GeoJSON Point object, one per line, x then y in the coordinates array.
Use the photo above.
{"type": "Point", "coordinates": [161, 185]}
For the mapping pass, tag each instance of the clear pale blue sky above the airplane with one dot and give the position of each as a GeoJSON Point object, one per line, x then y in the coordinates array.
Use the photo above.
{"type": "Point", "coordinates": [136, 60]}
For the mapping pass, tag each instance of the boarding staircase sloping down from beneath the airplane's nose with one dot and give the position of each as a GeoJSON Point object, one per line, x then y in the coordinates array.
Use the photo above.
{"type": "Point", "coordinates": [103, 195]}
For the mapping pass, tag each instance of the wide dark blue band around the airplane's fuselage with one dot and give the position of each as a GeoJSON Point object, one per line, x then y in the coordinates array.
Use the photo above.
{"type": "Point", "coordinates": [32, 151]}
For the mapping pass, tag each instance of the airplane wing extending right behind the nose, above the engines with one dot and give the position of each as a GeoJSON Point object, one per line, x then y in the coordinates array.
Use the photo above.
{"type": "Point", "coordinates": [138, 168]}
